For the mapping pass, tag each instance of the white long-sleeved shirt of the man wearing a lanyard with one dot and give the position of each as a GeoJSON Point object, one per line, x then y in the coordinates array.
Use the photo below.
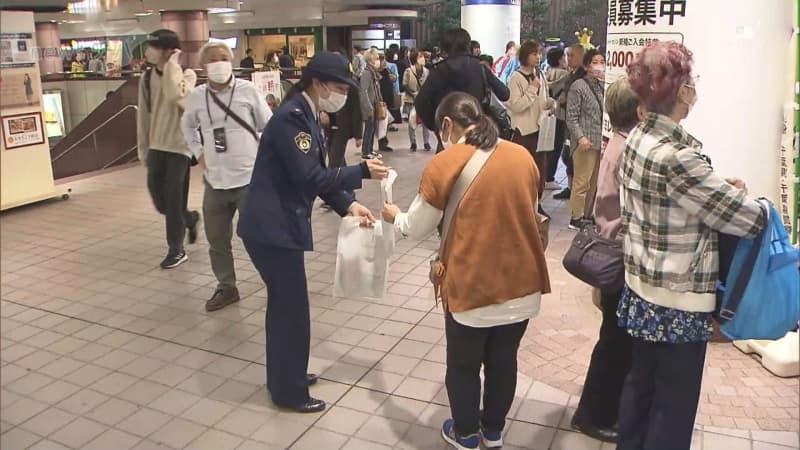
{"type": "Point", "coordinates": [234, 167]}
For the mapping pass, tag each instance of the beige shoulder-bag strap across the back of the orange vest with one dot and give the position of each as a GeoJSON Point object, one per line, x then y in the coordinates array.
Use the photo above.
{"type": "Point", "coordinates": [464, 181]}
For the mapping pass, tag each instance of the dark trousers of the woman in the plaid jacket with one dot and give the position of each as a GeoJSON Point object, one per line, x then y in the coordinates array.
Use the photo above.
{"type": "Point", "coordinates": [659, 400]}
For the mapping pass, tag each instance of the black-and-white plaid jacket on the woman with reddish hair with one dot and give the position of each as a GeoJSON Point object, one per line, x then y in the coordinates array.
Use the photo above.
{"type": "Point", "coordinates": [673, 205]}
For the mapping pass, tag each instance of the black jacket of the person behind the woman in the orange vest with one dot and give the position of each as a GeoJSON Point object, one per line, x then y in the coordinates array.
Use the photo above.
{"type": "Point", "coordinates": [460, 73]}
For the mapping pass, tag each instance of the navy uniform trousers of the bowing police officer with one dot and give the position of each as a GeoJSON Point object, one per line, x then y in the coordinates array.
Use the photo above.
{"type": "Point", "coordinates": [287, 323]}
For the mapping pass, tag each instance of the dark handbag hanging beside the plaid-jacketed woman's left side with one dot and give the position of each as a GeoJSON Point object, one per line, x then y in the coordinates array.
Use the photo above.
{"type": "Point", "coordinates": [596, 261]}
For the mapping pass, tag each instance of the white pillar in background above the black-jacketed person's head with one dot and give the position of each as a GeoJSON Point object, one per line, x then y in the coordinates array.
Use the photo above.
{"type": "Point", "coordinates": [492, 23]}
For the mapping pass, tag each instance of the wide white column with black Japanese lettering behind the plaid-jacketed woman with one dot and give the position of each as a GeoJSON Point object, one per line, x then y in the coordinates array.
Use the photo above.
{"type": "Point", "coordinates": [739, 113]}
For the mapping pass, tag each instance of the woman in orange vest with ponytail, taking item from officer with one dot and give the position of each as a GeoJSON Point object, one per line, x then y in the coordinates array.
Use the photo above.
{"type": "Point", "coordinates": [492, 270]}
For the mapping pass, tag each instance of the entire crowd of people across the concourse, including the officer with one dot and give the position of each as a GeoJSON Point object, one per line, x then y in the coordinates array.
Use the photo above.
{"type": "Point", "coordinates": [650, 188]}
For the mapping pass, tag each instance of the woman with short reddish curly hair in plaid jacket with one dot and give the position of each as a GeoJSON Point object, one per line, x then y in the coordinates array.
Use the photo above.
{"type": "Point", "coordinates": [673, 207]}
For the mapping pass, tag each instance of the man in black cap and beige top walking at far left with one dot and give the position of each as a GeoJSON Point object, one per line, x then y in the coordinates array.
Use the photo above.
{"type": "Point", "coordinates": [162, 92]}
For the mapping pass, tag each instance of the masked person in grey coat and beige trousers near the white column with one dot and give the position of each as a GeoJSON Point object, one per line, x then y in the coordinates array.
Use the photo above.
{"type": "Point", "coordinates": [585, 123]}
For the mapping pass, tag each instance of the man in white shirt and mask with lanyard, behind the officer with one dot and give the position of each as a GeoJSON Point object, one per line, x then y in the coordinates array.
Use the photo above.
{"type": "Point", "coordinates": [229, 113]}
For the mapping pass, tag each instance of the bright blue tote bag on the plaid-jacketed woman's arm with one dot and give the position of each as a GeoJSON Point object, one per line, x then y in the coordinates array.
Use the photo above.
{"type": "Point", "coordinates": [760, 299]}
